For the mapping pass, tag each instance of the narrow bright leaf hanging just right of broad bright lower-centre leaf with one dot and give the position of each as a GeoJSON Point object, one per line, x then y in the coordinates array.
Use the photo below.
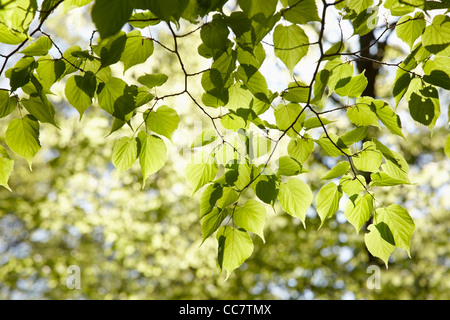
{"type": "Point", "coordinates": [328, 201]}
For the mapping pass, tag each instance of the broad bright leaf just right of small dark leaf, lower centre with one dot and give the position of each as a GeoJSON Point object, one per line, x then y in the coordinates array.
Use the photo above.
{"type": "Point", "coordinates": [295, 197]}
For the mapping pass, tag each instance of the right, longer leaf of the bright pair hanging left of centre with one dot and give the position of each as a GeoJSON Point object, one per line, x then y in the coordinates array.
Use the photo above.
{"type": "Point", "coordinates": [152, 155]}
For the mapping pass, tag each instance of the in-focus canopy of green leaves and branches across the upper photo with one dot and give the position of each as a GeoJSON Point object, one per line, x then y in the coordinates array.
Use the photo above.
{"type": "Point", "coordinates": [242, 174]}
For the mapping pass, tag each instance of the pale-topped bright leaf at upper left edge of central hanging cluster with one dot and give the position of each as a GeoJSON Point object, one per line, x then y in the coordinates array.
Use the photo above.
{"type": "Point", "coordinates": [201, 170]}
